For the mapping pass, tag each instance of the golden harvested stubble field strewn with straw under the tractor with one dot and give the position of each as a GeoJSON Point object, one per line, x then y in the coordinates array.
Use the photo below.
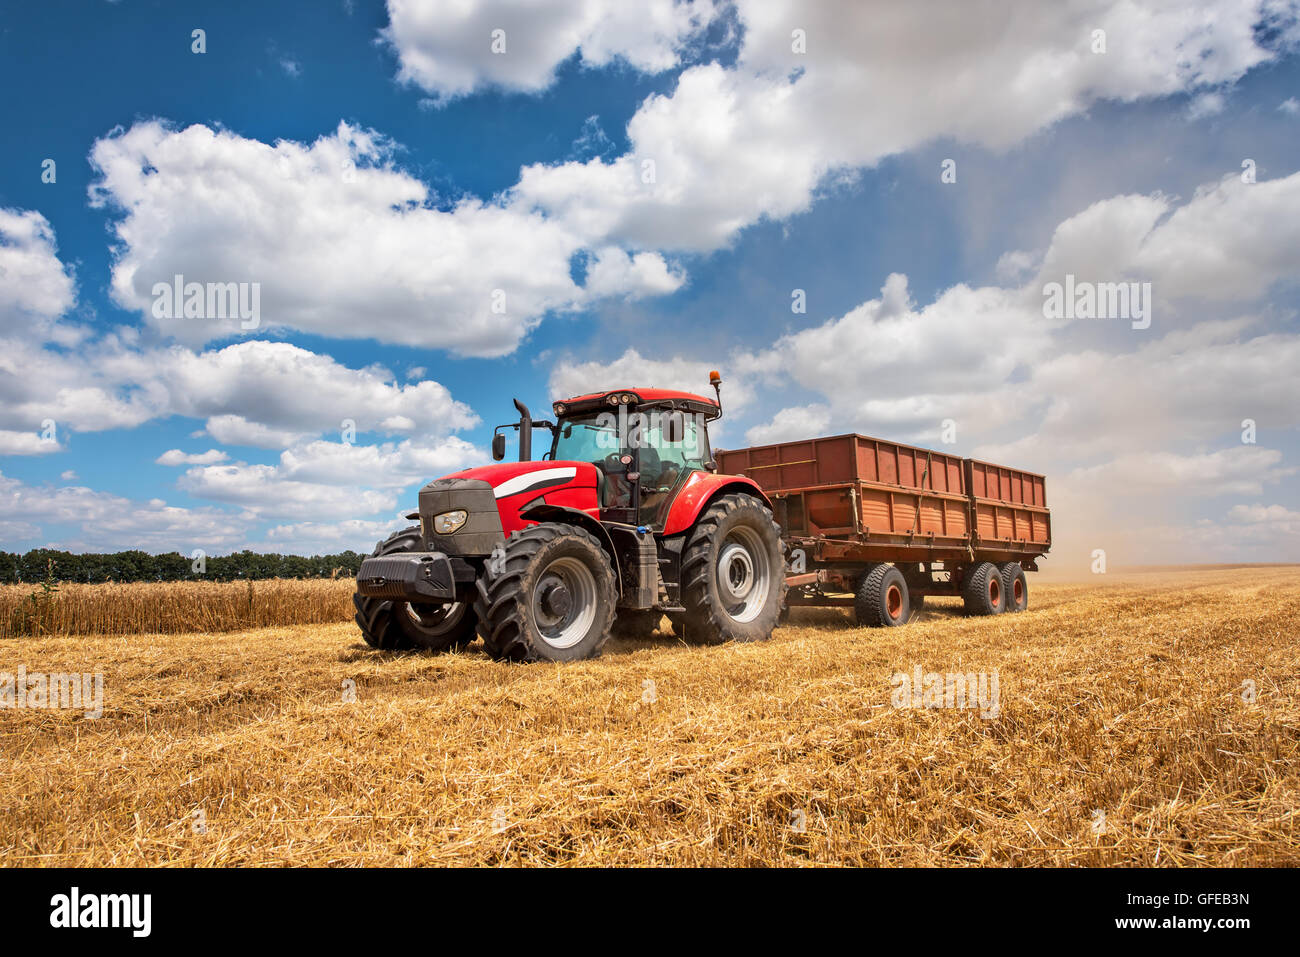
{"type": "Point", "coordinates": [1124, 737]}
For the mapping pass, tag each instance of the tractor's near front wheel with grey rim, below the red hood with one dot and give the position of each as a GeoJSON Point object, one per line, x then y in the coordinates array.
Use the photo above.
{"type": "Point", "coordinates": [551, 597]}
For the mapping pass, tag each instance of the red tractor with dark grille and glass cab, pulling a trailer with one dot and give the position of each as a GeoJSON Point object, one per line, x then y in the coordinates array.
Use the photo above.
{"type": "Point", "coordinates": [625, 521]}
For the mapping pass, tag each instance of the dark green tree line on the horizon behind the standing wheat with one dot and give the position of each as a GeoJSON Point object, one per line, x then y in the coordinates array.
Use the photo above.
{"type": "Point", "coordinates": [141, 566]}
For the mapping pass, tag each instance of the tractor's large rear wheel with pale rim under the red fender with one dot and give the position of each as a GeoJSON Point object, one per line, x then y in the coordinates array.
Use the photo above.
{"type": "Point", "coordinates": [733, 574]}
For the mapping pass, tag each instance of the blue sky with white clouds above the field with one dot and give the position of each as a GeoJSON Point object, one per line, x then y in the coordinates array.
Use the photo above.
{"type": "Point", "coordinates": [461, 171]}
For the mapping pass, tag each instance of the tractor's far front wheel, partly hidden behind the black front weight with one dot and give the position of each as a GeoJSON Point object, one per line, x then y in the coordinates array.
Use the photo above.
{"type": "Point", "coordinates": [396, 626]}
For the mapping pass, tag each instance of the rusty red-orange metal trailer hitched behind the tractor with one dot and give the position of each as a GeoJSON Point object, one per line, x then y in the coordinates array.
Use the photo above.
{"type": "Point", "coordinates": [879, 526]}
